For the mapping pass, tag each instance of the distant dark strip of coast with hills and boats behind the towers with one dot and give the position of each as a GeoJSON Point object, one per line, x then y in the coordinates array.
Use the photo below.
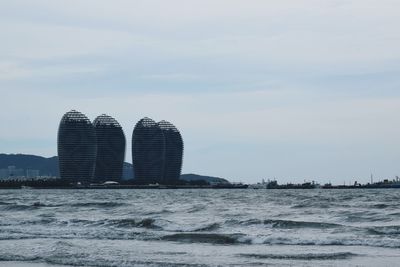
{"type": "Point", "coordinates": [31, 171]}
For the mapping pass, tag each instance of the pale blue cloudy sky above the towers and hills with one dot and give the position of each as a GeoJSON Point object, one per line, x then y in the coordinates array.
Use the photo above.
{"type": "Point", "coordinates": [293, 90]}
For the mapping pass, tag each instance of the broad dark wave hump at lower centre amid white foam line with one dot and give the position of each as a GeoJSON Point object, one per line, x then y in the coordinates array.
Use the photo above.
{"type": "Point", "coordinates": [207, 238]}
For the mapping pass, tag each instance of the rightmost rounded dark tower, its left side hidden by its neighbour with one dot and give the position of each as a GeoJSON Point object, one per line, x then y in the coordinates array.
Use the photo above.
{"type": "Point", "coordinates": [173, 153]}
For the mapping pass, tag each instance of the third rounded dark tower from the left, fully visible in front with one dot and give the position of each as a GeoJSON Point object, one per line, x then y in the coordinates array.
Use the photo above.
{"type": "Point", "coordinates": [148, 150]}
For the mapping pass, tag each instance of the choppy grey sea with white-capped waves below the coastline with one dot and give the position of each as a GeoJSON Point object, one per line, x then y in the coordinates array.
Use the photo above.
{"type": "Point", "coordinates": [199, 227]}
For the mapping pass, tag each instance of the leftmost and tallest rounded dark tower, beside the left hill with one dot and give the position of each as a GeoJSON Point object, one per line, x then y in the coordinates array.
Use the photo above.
{"type": "Point", "coordinates": [76, 147]}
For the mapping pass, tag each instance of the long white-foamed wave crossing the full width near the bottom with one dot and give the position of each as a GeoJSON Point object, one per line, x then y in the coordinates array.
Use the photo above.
{"type": "Point", "coordinates": [210, 238]}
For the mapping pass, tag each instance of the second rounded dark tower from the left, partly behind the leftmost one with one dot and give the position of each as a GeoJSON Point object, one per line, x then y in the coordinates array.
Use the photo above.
{"type": "Point", "coordinates": [110, 149]}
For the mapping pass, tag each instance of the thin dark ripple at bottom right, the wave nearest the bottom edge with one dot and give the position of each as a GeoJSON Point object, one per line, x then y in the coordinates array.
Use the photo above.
{"type": "Point", "coordinates": [308, 256]}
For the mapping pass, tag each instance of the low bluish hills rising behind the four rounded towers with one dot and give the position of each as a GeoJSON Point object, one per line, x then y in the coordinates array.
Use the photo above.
{"type": "Point", "coordinates": [49, 167]}
